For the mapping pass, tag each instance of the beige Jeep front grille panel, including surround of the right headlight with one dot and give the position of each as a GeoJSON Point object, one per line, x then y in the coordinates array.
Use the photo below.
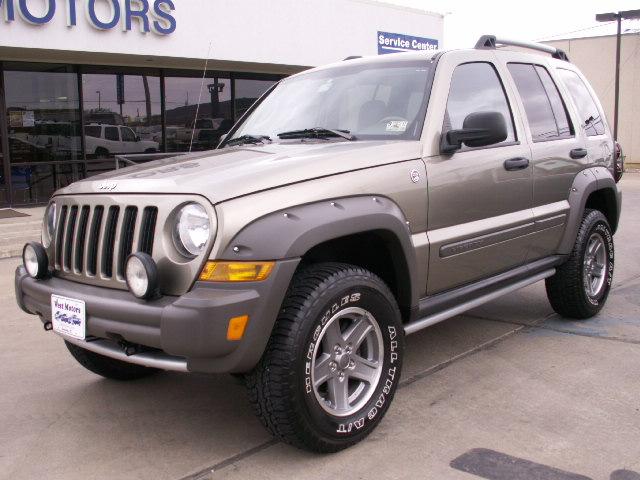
{"type": "Point", "coordinates": [96, 233]}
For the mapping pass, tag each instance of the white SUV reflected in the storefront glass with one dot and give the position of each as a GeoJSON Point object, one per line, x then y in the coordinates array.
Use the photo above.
{"type": "Point", "coordinates": [104, 140]}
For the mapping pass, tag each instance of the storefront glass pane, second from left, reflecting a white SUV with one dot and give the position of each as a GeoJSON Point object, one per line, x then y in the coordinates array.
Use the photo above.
{"type": "Point", "coordinates": [122, 115]}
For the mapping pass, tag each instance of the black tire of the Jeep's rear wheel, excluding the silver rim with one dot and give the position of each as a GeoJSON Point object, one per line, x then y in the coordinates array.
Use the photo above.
{"type": "Point", "coordinates": [566, 290]}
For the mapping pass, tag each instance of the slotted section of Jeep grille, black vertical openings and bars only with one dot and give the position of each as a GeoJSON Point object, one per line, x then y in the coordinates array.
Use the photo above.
{"type": "Point", "coordinates": [95, 240]}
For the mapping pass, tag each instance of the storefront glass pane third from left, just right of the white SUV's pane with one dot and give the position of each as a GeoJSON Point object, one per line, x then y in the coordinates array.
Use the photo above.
{"type": "Point", "coordinates": [193, 127]}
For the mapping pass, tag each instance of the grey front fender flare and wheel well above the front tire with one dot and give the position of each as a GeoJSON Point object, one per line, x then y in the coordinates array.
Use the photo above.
{"type": "Point", "coordinates": [368, 231]}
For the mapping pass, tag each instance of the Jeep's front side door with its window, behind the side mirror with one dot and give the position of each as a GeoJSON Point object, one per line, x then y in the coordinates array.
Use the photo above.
{"type": "Point", "coordinates": [480, 199]}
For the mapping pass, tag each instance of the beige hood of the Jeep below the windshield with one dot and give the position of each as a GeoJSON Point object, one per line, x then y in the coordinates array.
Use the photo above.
{"type": "Point", "coordinates": [220, 175]}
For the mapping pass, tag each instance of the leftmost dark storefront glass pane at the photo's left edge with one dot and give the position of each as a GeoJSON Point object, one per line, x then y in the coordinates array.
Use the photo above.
{"type": "Point", "coordinates": [43, 126]}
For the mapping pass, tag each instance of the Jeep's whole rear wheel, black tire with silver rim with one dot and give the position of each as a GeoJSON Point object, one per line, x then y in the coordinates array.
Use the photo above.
{"type": "Point", "coordinates": [580, 287]}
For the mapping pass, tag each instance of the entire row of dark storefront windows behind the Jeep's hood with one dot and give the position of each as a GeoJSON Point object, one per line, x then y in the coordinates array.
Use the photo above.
{"type": "Point", "coordinates": [120, 112]}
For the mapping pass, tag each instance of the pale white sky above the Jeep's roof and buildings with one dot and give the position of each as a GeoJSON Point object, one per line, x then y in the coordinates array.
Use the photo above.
{"type": "Point", "coordinates": [465, 21]}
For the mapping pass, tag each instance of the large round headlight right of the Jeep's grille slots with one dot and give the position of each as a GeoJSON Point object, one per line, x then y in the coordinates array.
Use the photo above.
{"type": "Point", "coordinates": [192, 230]}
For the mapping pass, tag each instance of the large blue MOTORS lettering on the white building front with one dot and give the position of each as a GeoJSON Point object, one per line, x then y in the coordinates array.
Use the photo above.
{"type": "Point", "coordinates": [151, 15]}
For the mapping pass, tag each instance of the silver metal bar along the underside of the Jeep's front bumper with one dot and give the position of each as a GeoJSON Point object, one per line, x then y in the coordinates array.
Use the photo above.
{"type": "Point", "coordinates": [109, 349]}
